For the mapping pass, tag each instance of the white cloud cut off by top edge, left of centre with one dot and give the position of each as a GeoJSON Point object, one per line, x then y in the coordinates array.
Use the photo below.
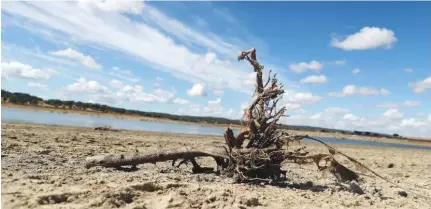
{"type": "Point", "coordinates": [123, 6]}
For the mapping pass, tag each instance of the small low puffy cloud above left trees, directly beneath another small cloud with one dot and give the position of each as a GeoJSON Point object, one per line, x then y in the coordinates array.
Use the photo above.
{"type": "Point", "coordinates": [83, 85]}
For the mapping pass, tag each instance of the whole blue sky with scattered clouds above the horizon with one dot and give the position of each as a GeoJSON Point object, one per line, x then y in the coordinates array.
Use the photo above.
{"type": "Point", "coordinates": [349, 65]}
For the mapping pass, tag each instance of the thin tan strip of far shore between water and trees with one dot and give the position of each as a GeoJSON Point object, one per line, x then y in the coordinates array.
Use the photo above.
{"type": "Point", "coordinates": [426, 142]}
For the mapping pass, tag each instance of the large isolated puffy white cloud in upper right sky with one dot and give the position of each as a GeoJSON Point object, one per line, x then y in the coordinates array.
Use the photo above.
{"type": "Point", "coordinates": [366, 38]}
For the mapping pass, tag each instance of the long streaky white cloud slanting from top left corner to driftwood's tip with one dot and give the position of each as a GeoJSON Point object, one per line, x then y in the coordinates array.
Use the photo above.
{"type": "Point", "coordinates": [146, 42]}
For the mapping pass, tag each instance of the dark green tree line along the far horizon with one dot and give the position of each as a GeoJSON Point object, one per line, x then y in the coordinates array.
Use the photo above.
{"type": "Point", "coordinates": [27, 99]}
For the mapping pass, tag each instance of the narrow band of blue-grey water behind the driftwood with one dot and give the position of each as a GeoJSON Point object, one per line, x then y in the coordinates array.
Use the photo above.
{"type": "Point", "coordinates": [53, 118]}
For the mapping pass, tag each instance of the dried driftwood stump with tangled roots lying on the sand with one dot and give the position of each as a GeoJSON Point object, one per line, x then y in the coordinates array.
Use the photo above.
{"type": "Point", "coordinates": [260, 148]}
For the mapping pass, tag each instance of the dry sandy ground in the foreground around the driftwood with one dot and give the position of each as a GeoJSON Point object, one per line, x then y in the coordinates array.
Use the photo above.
{"type": "Point", "coordinates": [43, 167]}
